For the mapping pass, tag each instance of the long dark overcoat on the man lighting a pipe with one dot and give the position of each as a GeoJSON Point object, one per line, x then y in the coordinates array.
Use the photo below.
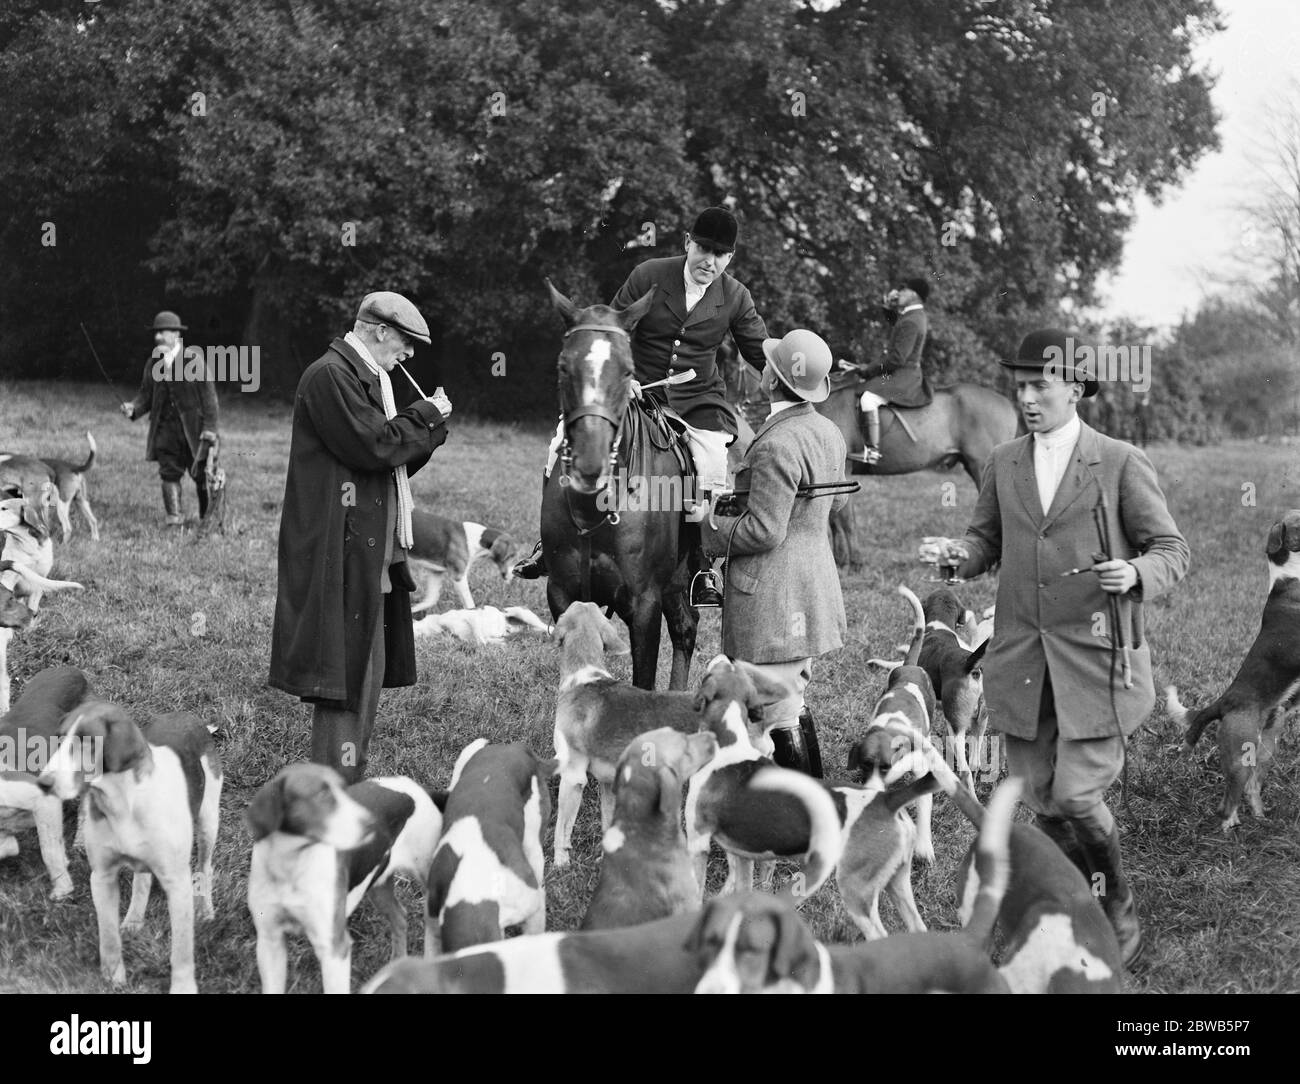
{"type": "Point", "coordinates": [332, 530]}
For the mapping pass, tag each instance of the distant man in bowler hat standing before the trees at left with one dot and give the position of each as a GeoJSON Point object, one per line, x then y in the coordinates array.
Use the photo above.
{"type": "Point", "coordinates": [183, 407]}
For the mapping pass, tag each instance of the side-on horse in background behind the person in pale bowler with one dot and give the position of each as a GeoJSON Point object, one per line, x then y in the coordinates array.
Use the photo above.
{"type": "Point", "coordinates": [961, 426]}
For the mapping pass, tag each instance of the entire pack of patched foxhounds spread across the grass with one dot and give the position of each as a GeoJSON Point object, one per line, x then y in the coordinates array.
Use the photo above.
{"type": "Point", "coordinates": [678, 773]}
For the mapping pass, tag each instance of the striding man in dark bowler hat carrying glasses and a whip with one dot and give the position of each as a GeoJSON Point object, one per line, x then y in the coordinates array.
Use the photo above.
{"type": "Point", "coordinates": [1052, 675]}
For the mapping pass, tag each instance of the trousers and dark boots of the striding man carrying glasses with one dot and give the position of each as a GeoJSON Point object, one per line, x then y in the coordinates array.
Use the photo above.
{"type": "Point", "coordinates": [1065, 787]}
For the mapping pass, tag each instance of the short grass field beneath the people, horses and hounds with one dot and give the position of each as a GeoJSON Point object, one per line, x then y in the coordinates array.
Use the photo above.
{"type": "Point", "coordinates": [1220, 910]}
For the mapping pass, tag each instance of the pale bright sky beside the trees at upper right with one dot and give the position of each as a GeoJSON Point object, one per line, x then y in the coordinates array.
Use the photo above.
{"type": "Point", "coordinates": [1175, 252]}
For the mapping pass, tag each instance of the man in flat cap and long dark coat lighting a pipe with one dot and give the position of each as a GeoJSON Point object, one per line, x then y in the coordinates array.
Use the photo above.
{"type": "Point", "coordinates": [343, 628]}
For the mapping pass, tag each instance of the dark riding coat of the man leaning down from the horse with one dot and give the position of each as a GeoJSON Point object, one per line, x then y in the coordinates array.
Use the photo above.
{"type": "Point", "coordinates": [669, 340]}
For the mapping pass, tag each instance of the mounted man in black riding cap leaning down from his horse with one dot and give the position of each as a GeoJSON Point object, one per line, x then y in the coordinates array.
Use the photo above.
{"type": "Point", "coordinates": [696, 305]}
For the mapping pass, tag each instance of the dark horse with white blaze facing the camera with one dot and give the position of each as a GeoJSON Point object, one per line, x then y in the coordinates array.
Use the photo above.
{"type": "Point", "coordinates": [612, 510]}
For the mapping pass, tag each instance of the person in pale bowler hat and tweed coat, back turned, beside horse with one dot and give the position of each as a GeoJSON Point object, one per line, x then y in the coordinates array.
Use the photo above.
{"type": "Point", "coordinates": [785, 605]}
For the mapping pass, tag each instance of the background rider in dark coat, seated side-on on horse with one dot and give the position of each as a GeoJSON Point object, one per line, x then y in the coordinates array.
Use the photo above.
{"type": "Point", "coordinates": [899, 379]}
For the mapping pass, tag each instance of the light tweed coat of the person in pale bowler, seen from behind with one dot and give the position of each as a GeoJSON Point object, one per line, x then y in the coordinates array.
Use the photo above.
{"type": "Point", "coordinates": [783, 596]}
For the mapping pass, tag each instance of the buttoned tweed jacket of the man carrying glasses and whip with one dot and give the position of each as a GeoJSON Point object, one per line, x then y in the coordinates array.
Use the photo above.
{"type": "Point", "coordinates": [1046, 622]}
